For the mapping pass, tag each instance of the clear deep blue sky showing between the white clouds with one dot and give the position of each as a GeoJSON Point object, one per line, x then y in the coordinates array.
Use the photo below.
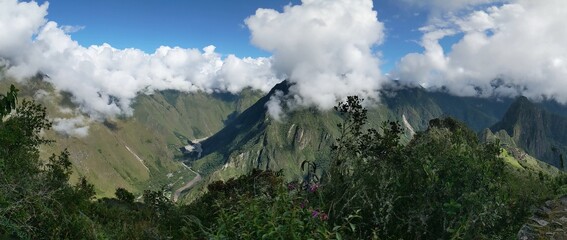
{"type": "Point", "coordinates": [148, 24]}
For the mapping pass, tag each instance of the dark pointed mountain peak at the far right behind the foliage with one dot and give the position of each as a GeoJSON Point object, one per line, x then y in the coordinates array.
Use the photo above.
{"type": "Point", "coordinates": [539, 132]}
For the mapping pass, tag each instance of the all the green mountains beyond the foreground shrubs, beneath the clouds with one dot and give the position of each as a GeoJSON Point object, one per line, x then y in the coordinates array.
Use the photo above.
{"type": "Point", "coordinates": [225, 135]}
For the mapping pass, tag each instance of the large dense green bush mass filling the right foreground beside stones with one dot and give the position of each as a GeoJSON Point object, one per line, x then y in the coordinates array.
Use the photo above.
{"type": "Point", "coordinates": [444, 184]}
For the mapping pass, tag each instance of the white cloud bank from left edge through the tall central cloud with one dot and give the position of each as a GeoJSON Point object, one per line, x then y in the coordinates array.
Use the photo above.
{"type": "Point", "coordinates": [322, 46]}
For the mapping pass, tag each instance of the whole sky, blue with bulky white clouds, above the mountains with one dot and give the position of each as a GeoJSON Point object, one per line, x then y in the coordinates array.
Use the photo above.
{"type": "Point", "coordinates": [105, 53]}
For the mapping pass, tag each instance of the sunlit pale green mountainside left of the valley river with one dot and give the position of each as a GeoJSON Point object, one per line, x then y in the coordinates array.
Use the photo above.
{"type": "Point", "coordinates": [138, 152]}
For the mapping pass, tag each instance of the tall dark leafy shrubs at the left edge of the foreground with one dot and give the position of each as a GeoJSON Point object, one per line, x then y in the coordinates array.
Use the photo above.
{"type": "Point", "coordinates": [36, 200]}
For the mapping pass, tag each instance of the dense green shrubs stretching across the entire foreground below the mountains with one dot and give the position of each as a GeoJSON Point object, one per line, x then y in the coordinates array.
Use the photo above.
{"type": "Point", "coordinates": [444, 184]}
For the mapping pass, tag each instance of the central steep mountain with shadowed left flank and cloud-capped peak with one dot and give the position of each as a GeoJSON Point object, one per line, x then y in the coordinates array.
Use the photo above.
{"type": "Point", "coordinates": [255, 140]}
